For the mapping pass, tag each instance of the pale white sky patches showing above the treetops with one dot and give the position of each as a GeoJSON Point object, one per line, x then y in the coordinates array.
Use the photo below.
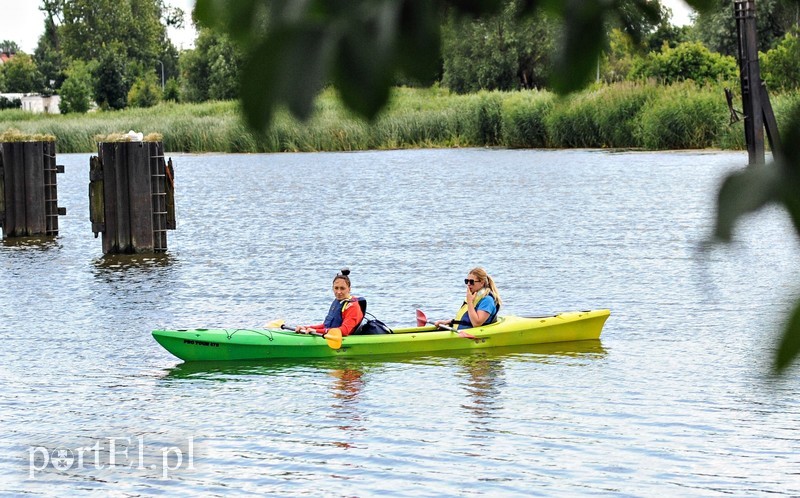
{"type": "Point", "coordinates": [21, 21]}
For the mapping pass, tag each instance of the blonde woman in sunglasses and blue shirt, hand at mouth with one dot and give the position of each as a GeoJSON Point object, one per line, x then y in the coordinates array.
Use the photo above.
{"type": "Point", "coordinates": [481, 304]}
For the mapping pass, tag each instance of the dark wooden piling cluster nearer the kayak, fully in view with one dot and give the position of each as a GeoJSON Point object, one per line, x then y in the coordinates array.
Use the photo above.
{"type": "Point", "coordinates": [131, 196]}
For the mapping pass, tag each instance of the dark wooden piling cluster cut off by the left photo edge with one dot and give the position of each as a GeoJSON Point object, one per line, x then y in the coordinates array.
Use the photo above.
{"type": "Point", "coordinates": [28, 189]}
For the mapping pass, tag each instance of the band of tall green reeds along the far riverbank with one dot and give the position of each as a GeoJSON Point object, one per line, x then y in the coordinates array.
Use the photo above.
{"type": "Point", "coordinates": [625, 115]}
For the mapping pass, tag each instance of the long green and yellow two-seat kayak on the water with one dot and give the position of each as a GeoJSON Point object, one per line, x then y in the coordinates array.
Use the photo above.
{"type": "Point", "coordinates": [268, 343]}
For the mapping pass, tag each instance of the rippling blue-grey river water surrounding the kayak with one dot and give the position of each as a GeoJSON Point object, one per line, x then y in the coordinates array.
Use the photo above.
{"type": "Point", "coordinates": [675, 399]}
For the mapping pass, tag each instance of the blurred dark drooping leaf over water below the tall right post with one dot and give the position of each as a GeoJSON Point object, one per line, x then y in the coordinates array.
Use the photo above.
{"type": "Point", "coordinates": [744, 192]}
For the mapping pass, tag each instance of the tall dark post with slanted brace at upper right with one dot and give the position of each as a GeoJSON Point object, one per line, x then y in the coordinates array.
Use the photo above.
{"type": "Point", "coordinates": [755, 99]}
